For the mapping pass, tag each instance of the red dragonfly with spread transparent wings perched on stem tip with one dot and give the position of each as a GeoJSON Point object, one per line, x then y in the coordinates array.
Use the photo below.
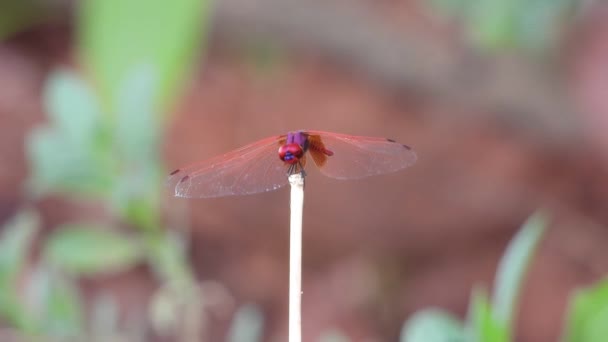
{"type": "Point", "coordinates": [258, 167]}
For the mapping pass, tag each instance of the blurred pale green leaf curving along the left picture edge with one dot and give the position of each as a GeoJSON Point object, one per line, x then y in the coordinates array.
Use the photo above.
{"type": "Point", "coordinates": [15, 241]}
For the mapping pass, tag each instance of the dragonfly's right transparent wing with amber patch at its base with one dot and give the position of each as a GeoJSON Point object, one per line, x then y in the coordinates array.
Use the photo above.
{"type": "Point", "coordinates": [357, 157]}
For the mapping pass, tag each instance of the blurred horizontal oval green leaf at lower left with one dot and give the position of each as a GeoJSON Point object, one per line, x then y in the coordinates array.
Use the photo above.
{"type": "Point", "coordinates": [89, 249]}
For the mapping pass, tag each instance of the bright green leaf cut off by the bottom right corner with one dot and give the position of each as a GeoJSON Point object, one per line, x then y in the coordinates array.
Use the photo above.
{"type": "Point", "coordinates": [588, 315]}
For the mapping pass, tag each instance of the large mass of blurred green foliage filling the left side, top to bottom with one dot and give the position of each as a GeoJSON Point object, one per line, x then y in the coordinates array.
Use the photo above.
{"type": "Point", "coordinates": [101, 145]}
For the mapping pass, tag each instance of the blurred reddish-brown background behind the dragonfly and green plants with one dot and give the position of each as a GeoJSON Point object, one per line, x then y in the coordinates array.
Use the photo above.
{"type": "Point", "coordinates": [498, 135]}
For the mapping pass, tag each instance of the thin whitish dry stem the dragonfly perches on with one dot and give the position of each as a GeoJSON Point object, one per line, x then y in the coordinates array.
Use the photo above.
{"type": "Point", "coordinates": [295, 257]}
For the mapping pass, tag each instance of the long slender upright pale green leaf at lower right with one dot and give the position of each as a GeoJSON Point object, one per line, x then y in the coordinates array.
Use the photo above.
{"type": "Point", "coordinates": [513, 268]}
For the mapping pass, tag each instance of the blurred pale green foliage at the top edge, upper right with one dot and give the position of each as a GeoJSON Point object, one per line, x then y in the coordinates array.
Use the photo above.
{"type": "Point", "coordinates": [534, 25]}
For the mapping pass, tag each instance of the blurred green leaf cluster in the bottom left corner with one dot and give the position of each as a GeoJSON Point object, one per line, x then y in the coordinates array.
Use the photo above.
{"type": "Point", "coordinates": [49, 303]}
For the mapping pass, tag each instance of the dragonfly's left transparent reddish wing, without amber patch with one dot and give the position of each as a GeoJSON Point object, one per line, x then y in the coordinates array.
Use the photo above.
{"type": "Point", "coordinates": [251, 169]}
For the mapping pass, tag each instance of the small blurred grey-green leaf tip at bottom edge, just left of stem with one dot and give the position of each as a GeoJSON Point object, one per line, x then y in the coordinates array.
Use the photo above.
{"type": "Point", "coordinates": [247, 325]}
